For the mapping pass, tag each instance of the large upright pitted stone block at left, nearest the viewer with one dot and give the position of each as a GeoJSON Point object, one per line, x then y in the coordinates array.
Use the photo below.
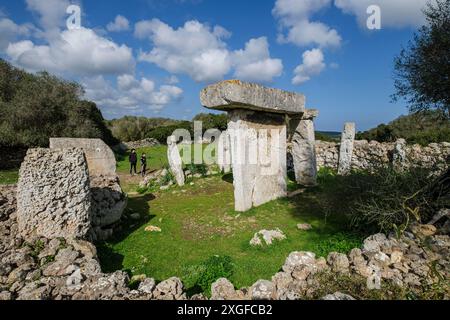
{"type": "Point", "coordinates": [53, 194]}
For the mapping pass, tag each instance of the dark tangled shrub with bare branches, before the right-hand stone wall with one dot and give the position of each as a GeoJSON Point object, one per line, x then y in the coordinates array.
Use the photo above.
{"type": "Point", "coordinates": [389, 200]}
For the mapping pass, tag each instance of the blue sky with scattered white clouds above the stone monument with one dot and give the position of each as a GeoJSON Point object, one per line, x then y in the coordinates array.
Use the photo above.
{"type": "Point", "coordinates": [151, 58]}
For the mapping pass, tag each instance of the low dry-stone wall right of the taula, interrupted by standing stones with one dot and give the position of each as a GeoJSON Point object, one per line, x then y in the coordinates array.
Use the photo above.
{"type": "Point", "coordinates": [367, 155]}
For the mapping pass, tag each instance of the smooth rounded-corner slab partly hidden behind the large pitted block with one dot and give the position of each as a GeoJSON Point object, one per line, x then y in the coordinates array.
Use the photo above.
{"type": "Point", "coordinates": [99, 156]}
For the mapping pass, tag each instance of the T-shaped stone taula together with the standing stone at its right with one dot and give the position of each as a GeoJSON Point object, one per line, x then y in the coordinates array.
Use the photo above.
{"type": "Point", "coordinates": [259, 119]}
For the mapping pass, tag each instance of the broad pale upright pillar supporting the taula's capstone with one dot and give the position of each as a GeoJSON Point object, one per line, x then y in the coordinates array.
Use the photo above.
{"type": "Point", "coordinates": [258, 153]}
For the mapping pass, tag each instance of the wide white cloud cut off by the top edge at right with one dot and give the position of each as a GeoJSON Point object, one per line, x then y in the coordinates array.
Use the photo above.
{"type": "Point", "coordinates": [394, 13]}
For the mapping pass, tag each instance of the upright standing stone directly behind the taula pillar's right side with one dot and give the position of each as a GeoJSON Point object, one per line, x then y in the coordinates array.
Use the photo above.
{"type": "Point", "coordinates": [303, 148]}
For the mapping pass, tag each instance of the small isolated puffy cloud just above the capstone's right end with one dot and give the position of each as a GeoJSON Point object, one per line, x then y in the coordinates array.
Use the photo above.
{"type": "Point", "coordinates": [313, 64]}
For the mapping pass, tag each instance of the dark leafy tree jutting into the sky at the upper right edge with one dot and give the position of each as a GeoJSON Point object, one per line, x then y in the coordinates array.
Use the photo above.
{"type": "Point", "coordinates": [422, 70]}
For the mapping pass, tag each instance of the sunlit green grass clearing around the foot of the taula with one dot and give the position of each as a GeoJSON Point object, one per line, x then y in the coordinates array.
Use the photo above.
{"type": "Point", "coordinates": [198, 221]}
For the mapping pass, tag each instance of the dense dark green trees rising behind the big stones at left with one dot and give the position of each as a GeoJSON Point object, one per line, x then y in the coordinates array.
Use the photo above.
{"type": "Point", "coordinates": [35, 107]}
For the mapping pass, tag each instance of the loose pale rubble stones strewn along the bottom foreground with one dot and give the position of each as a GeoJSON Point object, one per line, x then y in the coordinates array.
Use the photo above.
{"type": "Point", "coordinates": [40, 268]}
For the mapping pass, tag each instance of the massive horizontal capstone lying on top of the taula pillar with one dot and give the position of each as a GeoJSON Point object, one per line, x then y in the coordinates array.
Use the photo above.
{"type": "Point", "coordinates": [235, 94]}
